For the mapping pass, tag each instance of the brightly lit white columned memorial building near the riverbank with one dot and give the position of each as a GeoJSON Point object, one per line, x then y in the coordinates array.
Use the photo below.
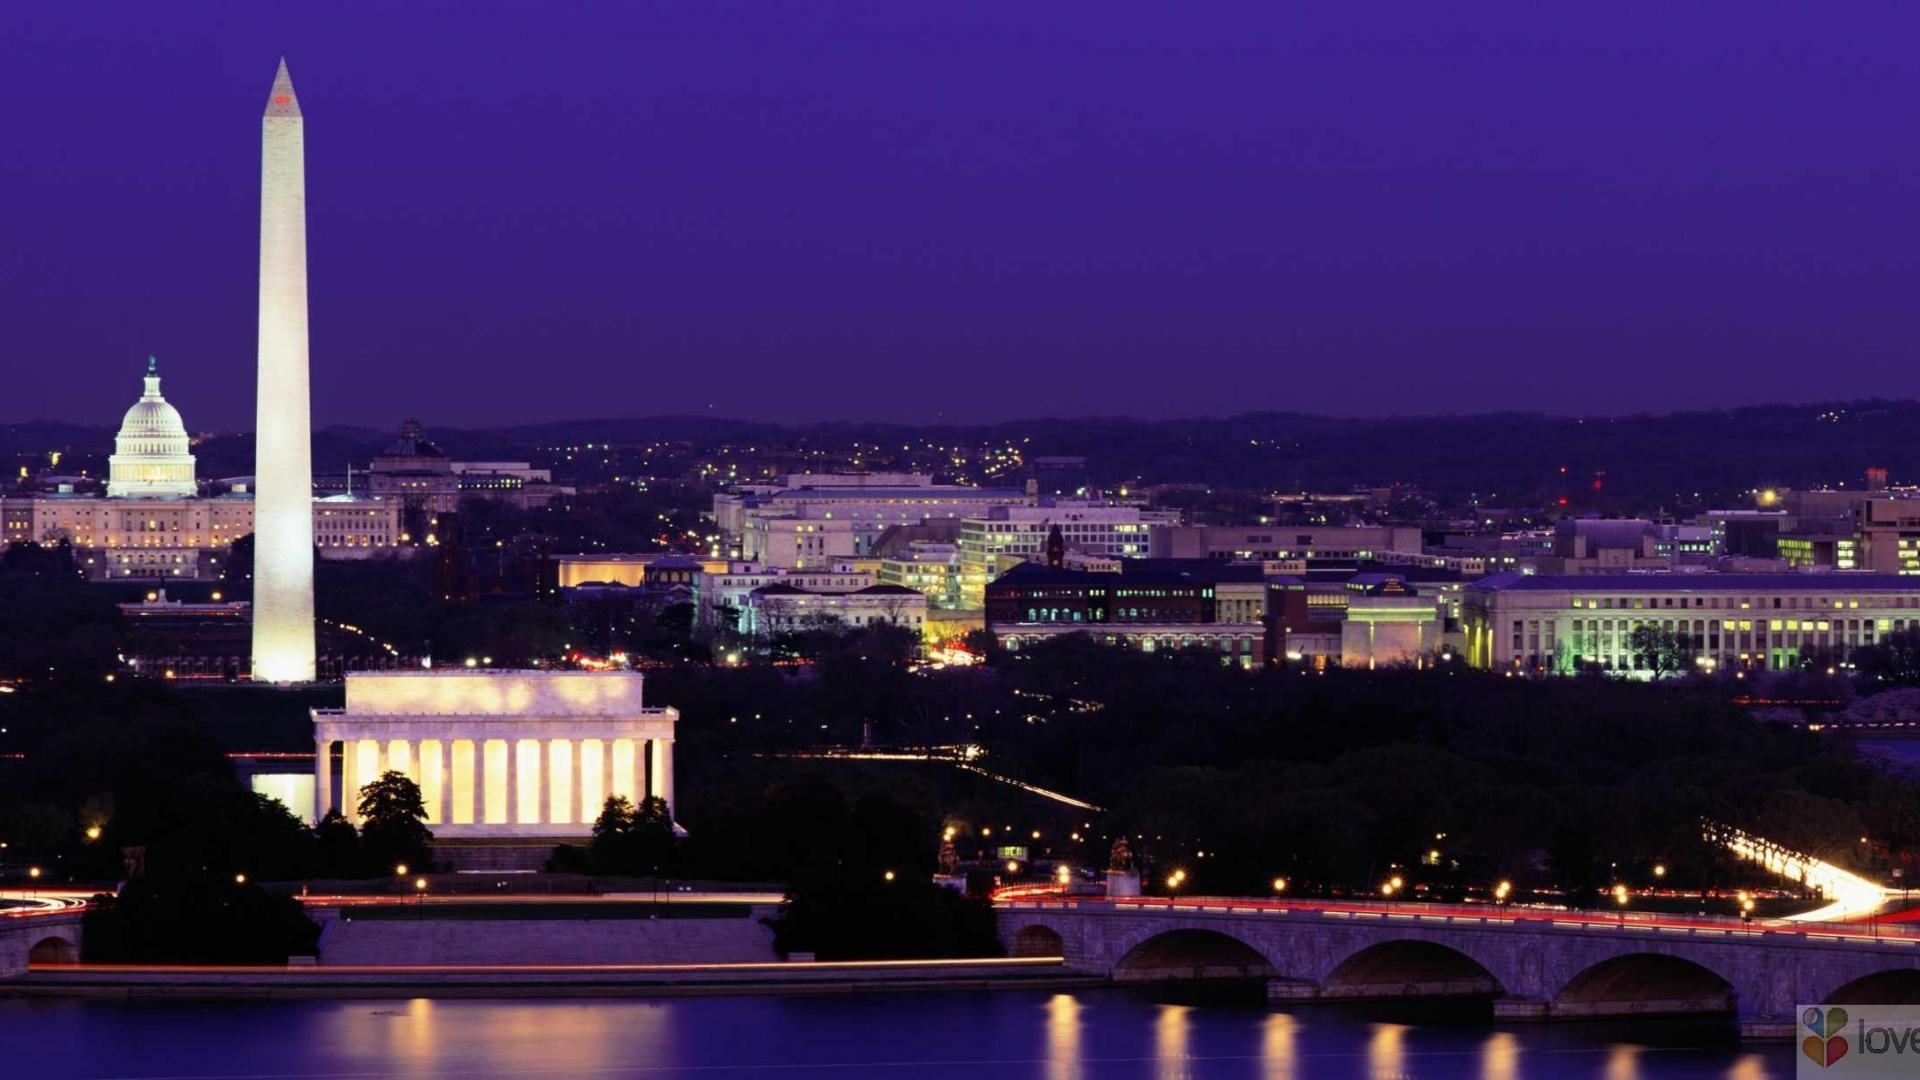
{"type": "Point", "coordinates": [498, 752]}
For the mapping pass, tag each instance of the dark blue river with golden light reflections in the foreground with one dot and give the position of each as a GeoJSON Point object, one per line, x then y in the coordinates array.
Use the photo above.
{"type": "Point", "coordinates": [934, 1035]}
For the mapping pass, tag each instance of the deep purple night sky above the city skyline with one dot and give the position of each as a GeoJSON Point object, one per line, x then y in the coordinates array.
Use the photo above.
{"type": "Point", "coordinates": [967, 212]}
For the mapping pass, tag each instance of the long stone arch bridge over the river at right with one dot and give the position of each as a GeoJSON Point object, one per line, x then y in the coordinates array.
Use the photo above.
{"type": "Point", "coordinates": [1527, 964]}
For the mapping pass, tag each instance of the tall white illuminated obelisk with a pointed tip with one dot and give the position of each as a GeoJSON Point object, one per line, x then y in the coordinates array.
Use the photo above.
{"type": "Point", "coordinates": [283, 447]}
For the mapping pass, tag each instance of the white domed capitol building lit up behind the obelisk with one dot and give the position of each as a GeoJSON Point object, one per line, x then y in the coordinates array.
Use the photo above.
{"type": "Point", "coordinates": [155, 524]}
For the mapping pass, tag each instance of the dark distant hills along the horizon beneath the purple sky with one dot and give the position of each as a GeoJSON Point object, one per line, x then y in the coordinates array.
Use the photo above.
{"type": "Point", "coordinates": [1646, 460]}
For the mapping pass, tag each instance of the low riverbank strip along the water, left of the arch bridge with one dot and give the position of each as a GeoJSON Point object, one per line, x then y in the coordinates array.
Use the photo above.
{"type": "Point", "coordinates": [544, 981]}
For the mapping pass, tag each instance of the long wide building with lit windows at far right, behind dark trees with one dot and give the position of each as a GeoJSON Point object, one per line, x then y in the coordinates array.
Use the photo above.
{"type": "Point", "coordinates": [1560, 624]}
